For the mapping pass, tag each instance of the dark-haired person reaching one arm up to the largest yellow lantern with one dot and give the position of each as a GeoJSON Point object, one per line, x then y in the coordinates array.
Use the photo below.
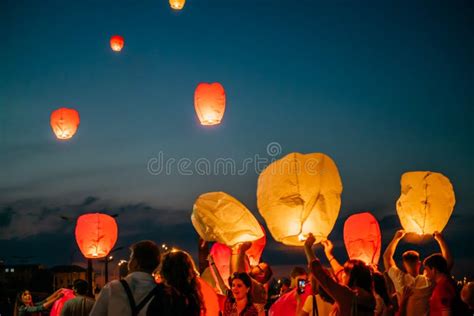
{"type": "Point", "coordinates": [354, 296]}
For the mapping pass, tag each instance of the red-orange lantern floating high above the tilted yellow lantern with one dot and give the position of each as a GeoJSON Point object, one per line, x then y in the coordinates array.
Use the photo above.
{"type": "Point", "coordinates": [209, 102]}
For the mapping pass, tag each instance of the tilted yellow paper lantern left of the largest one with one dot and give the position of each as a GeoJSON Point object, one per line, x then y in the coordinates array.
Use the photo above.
{"type": "Point", "coordinates": [217, 216]}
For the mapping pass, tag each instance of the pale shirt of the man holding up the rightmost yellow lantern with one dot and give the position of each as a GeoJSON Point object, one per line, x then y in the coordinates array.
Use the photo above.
{"type": "Point", "coordinates": [418, 303]}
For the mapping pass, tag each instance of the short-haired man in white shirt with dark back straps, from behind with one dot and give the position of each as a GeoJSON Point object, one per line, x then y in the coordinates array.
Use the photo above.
{"type": "Point", "coordinates": [131, 295]}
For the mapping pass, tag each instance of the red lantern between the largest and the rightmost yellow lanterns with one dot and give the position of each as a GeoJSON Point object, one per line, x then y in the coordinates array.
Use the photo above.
{"type": "Point", "coordinates": [362, 238]}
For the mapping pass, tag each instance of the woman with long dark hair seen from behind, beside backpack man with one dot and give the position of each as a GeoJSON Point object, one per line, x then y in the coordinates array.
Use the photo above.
{"type": "Point", "coordinates": [182, 291]}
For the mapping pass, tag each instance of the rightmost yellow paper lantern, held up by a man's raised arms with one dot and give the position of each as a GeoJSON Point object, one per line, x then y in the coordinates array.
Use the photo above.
{"type": "Point", "coordinates": [426, 202]}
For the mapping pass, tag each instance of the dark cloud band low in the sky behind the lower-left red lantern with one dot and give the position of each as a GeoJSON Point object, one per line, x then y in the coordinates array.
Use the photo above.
{"type": "Point", "coordinates": [31, 217]}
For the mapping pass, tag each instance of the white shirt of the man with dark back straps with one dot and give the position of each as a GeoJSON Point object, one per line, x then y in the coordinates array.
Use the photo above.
{"type": "Point", "coordinates": [113, 300]}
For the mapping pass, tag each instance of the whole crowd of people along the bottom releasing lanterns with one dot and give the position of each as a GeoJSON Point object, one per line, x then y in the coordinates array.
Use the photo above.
{"type": "Point", "coordinates": [169, 284]}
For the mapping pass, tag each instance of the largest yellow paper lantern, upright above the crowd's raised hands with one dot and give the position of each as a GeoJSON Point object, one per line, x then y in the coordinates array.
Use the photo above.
{"type": "Point", "coordinates": [300, 194]}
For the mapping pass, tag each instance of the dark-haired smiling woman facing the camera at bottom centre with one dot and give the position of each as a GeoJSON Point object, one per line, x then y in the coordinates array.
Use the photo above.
{"type": "Point", "coordinates": [239, 298]}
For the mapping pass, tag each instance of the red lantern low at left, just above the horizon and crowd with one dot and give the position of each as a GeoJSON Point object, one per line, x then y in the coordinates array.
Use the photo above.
{"type": "Point", "coordinates": [96, 234]}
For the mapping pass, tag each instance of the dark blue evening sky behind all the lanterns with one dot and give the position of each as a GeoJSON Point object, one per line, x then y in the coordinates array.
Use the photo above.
{"type": "Point", "coordinates": [382, 87]}
